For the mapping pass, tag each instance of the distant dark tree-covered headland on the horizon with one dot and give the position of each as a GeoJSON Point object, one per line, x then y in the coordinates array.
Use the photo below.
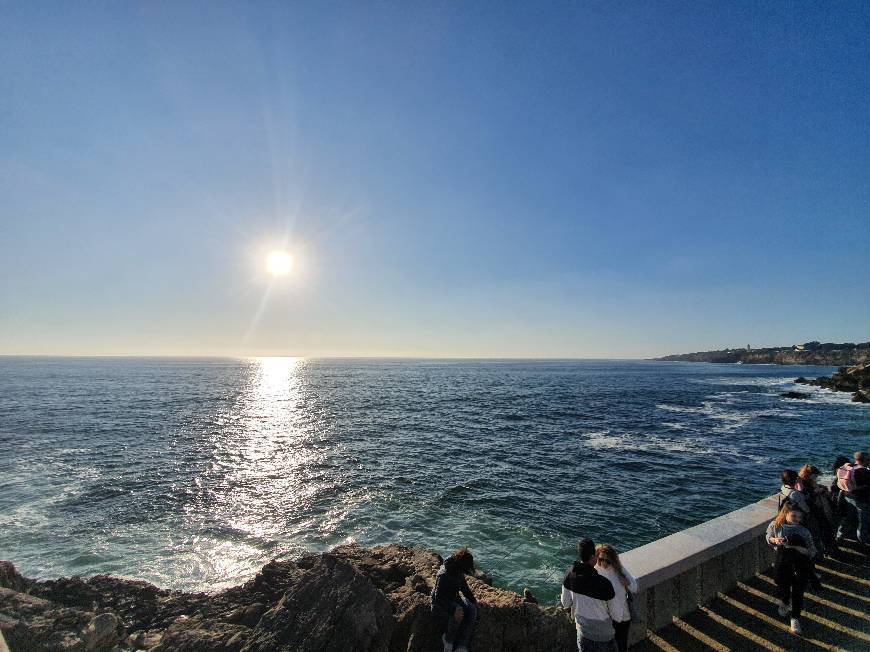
{"type": "Point", "coordinates": [810, 353]}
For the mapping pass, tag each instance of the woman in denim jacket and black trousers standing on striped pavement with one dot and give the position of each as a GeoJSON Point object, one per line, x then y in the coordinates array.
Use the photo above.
{"type": "Point", "coordinates": [793, 567]}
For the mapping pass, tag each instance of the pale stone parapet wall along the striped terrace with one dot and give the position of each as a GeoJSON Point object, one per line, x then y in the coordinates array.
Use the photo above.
{"type": "Point", "coordinates": [687, 569]}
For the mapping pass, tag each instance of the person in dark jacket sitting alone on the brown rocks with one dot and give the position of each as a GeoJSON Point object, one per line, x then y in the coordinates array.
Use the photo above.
{"type": "Point", "coordinates": [455, 614]}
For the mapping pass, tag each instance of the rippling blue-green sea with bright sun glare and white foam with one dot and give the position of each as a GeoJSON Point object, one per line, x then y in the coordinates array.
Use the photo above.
{"type": "Point", "coordinates": [193, 473]}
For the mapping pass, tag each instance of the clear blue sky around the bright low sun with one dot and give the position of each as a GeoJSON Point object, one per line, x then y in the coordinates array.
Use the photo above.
{"type": "Point", "coordinates": [587, 179]}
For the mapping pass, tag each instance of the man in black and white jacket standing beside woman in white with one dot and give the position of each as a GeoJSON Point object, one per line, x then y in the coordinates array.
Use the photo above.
{"type": "Point", "coordinates": [586, 594]}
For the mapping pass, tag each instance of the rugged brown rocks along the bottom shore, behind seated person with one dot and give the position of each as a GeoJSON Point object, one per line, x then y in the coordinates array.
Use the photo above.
{"type": "Point", "coordinates": [352, 599]}
